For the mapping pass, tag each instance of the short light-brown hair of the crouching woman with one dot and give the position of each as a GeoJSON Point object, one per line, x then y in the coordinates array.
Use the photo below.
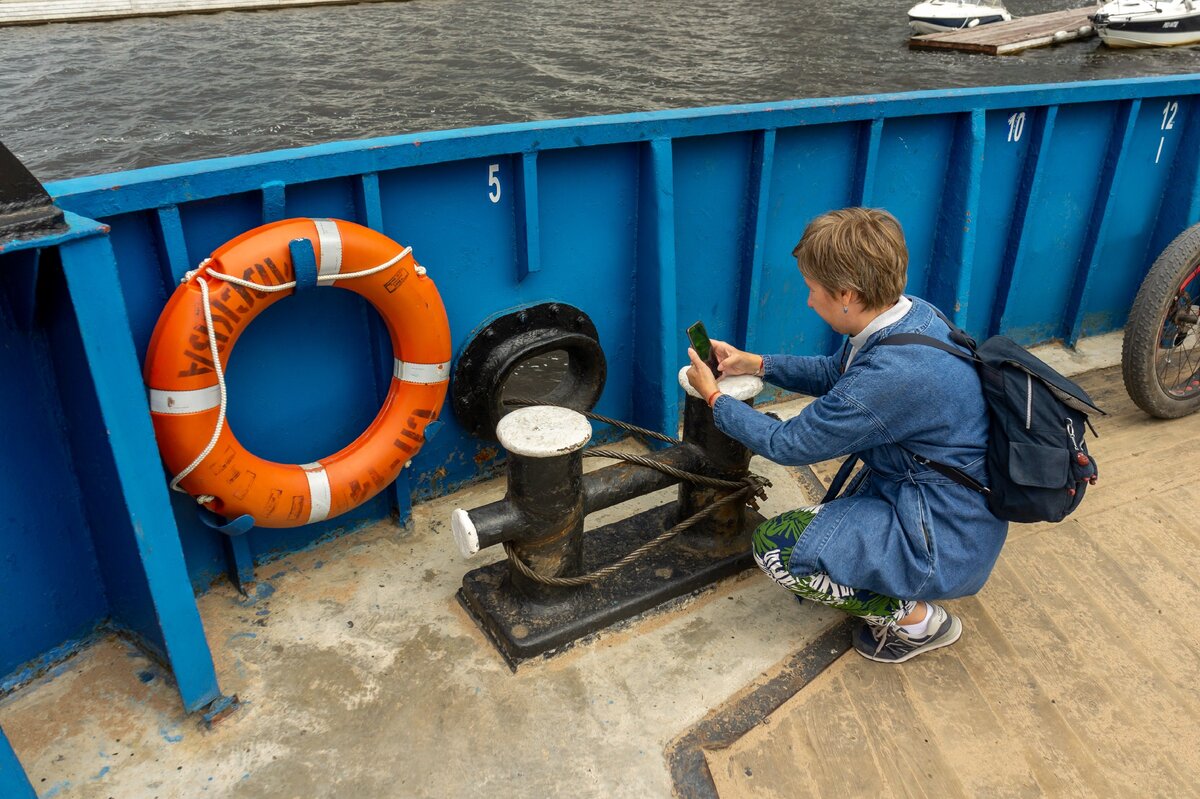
{"type": "Point", "coordinates": [860, 250]}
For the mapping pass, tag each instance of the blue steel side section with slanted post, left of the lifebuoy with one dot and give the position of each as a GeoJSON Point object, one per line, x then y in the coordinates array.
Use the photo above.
{"type": "Point", "coordinates": [88, 543]}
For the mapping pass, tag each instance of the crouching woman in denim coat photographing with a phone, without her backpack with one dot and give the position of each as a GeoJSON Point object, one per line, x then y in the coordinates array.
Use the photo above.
{"type": "Point", "coordinates": [901, 534]}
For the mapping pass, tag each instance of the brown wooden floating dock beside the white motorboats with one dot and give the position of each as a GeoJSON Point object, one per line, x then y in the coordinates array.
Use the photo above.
{"type": "Point", "coordinates": [1022, 34]}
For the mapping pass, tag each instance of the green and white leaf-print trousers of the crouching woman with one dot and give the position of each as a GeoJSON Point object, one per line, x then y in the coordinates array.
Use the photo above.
{"type": "Point", "coordinates": [773, 542]}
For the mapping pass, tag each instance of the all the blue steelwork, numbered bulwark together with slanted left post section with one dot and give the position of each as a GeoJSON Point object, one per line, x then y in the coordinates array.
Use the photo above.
{"type": "Point", "coordinates": [1033, 212]}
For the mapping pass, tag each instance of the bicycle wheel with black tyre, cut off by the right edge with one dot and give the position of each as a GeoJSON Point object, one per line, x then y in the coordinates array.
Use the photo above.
{"type": "Point", "coordinates": [1161, 351]}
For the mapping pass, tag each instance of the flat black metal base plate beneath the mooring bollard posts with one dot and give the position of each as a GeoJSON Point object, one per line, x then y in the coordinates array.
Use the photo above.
{"type": "Point", "coordinates": [523, 627]}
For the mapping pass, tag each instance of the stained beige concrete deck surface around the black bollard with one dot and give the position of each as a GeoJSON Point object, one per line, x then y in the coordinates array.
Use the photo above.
{"type": "Point", "coordinates": [363, 677]}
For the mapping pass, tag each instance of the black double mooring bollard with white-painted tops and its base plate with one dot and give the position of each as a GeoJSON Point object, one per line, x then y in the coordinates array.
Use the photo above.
{"type": "Point", "coordinates": [542, 519]}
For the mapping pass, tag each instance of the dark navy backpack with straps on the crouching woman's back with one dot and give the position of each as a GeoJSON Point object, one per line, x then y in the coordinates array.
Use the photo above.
{"type": "Point", "coordinates": [1039, 466]}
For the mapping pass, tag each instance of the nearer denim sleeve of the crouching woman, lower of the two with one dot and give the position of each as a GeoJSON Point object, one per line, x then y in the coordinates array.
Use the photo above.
{"type": "Point", "coordinates": [835, 425]}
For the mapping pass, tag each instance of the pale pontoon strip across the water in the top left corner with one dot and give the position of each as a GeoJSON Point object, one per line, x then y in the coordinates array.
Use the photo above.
{"type": "Point", "coordinates": [35, 13]}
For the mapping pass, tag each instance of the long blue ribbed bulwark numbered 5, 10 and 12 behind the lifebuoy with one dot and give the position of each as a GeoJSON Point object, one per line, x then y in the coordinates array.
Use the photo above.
{"type": "Point", "coordinates": [1031, 212]}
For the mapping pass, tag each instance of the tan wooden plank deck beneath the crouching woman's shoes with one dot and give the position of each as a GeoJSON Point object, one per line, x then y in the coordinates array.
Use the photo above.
{"type": "Point", "coordinates": [1078, 674]}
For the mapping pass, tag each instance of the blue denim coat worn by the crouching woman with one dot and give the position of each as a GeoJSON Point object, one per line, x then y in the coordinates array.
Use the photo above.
{"type": "Point", "coordinates": [899, 528]}
